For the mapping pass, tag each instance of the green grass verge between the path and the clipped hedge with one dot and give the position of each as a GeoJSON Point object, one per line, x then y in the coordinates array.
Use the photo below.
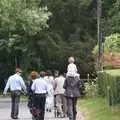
{"type": "Point", "coordinates": [97, 109]}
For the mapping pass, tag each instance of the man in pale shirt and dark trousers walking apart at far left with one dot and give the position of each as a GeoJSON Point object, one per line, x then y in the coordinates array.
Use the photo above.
{"type": "Point", "coordinates": [16, 84]}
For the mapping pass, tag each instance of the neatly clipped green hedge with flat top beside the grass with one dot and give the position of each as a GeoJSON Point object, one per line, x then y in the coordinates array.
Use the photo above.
{"type": "Point", "coordinates": [109, 85]}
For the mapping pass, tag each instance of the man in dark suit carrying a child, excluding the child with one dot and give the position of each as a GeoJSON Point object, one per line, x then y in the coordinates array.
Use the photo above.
{"type": "Point", "coordinates": [72, 92]}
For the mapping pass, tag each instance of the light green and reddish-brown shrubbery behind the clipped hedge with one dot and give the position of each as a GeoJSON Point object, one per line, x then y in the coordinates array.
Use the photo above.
{"type": "Point", "coordinates": [111, 55]}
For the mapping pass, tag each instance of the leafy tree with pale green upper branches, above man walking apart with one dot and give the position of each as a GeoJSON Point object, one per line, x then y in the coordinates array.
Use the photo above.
{"type": "Point", "coordinates": [20, 21]}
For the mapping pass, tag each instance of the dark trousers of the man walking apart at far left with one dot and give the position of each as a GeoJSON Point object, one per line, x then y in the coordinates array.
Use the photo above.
{"type": "Point", "coordinates": [15, 99]}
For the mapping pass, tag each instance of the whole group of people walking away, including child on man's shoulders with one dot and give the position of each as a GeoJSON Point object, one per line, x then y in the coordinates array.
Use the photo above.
{"type": "Point", "coordinates": [46, 92]}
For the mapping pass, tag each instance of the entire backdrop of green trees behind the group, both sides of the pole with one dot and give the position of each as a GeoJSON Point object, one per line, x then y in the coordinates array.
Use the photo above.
{"type": "Point", "coordinates": [41, 34]}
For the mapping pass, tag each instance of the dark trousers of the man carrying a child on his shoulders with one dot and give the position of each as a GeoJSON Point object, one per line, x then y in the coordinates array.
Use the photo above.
{"type": "Point", "coordinates": [71, 102]}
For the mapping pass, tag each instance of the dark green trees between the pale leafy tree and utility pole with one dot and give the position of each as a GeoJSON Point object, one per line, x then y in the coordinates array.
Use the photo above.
{"type": "Point", "coordinates": [73, 29]}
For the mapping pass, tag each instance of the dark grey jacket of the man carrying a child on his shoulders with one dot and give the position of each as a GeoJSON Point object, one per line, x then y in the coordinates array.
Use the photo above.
{"type": "Point", "coordinates": [72, 87]}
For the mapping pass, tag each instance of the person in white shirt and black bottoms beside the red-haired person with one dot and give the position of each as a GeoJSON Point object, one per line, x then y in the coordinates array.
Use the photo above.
{"type": "Point", "coordinates": [40, 89]}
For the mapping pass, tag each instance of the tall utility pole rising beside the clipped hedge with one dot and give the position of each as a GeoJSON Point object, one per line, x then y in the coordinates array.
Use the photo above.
{"type": "Point", "coordinates": [99, 34]}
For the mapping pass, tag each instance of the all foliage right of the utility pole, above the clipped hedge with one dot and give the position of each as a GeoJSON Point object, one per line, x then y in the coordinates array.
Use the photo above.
{"type": "Point", "coordinates": [110, 27]}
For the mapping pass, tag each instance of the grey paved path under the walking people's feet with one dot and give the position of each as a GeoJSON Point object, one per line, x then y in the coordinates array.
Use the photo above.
{"type": "Point", "coordinates": [24, 112]}
